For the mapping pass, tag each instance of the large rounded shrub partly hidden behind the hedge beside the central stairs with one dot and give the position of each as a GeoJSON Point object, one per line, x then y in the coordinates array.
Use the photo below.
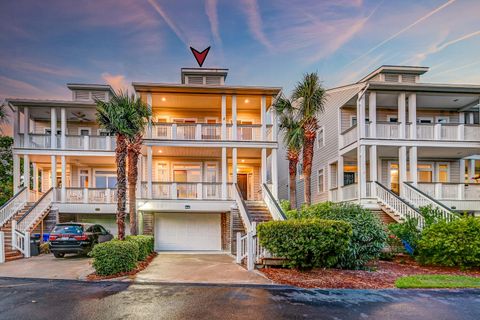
{"type": "Point", "coordinates": [368, 237]}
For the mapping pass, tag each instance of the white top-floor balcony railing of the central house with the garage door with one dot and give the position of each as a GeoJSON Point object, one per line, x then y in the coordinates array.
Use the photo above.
{"type": "Point", "coordinates": [209, 131]}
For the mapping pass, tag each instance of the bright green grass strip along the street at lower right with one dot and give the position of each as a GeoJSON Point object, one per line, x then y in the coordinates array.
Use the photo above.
{"type": "Point", "coordinates": [437, 281]}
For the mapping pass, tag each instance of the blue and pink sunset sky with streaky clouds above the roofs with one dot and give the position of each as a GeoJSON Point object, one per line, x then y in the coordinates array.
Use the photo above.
{"type": "Point", "coordinates": [46, 44]}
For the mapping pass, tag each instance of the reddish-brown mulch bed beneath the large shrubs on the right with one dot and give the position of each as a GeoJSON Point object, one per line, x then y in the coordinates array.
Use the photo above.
{"type": "Point", "coordinates": [382, 276]}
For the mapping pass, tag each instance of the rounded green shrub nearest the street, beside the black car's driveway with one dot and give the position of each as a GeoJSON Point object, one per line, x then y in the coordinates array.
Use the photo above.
{"type": "Point", "coordinates": [114, 256]}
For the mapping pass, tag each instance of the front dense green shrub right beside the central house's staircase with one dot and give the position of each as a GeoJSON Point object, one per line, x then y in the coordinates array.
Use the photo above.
{"type": "Point", "coordinates": [306, 243]}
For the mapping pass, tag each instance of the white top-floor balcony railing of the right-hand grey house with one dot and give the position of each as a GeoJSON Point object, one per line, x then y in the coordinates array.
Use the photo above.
{"type": "Point", "coordinates": [429, 131]}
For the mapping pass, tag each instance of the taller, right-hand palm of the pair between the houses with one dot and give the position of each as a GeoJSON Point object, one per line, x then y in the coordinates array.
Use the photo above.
{"type": "Point", "coordinates": [309, 96]}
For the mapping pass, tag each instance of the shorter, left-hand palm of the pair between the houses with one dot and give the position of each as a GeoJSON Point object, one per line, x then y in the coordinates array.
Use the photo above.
{"type": "Point", "coordinates": [293, 139]}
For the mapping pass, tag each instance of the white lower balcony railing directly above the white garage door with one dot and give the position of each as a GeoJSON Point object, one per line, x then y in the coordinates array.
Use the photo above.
{"type": "Point", "coordinates": [185, 190]}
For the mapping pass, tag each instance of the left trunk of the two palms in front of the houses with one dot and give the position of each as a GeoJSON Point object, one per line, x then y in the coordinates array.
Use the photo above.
{"type": "Point", "coordinates": [121, 159]}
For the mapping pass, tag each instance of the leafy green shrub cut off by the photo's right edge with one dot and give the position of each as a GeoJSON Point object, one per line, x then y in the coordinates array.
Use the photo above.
{"type": "Point", "coordinates": [455, 243]}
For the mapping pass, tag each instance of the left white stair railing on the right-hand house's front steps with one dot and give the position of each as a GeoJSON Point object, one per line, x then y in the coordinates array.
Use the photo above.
{"type": "Point", "coordinates": [397, 204]}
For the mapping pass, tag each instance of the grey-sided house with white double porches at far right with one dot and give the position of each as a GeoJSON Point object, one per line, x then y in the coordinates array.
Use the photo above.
{"type": "Point", "coordinates": [395, 143]}
